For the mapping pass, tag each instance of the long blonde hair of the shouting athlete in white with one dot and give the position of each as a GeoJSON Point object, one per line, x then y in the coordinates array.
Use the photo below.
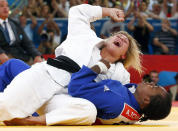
{"type": "Point", "coordinates": [133, 58]}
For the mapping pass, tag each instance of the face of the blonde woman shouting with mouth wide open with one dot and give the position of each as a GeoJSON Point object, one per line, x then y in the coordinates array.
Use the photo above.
{"type": "Point", "coordinates": [115, 48]}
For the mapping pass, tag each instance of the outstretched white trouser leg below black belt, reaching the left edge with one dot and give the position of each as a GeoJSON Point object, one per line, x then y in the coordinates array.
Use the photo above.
{"type": "Point", "coordinates": [27, 92]}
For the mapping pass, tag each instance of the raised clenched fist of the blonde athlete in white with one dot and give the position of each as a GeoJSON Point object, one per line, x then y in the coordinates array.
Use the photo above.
{"type": "Point", "coordinates": [116, 14]}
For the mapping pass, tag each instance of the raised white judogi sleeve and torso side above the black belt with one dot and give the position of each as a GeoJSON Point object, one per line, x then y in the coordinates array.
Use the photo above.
{"type": "Point", "coordinates": [81, 39]}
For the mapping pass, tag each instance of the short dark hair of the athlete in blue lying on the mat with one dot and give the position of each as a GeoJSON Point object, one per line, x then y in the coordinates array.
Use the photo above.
{"type": "Point", "coordinates": [158, 108]}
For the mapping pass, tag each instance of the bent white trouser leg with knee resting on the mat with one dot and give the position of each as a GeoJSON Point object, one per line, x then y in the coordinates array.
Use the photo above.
{"type": "Point", "coordinates": [63, 109]}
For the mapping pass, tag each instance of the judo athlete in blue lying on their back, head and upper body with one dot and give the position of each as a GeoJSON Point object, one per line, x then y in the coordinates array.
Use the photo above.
{"type": "Point", "coordinates": [117, 103]}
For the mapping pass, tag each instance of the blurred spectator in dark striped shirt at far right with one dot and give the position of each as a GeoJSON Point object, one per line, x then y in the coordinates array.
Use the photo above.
{"type": "Point", "coordinates": [165, 39]}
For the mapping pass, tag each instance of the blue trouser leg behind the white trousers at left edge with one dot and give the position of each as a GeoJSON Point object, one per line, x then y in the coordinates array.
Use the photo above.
{"type": "Point", "coordinates": [9, 70]}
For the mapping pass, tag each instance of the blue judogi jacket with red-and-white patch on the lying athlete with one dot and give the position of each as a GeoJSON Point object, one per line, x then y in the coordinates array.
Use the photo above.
{"type": "Point", "coordinates": [114, 101]}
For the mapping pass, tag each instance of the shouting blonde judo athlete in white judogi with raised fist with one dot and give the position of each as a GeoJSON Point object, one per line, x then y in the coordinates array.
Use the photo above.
{"type": "Point", "coordinates": [40, 88]}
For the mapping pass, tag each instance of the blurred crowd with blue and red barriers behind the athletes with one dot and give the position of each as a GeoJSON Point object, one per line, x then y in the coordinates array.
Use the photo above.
{"type": "Point", "coordinates": [153, 23]}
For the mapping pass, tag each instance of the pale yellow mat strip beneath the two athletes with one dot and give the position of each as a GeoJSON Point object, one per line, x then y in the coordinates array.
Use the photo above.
{"type": "Point", "coordinates": [168, 124]}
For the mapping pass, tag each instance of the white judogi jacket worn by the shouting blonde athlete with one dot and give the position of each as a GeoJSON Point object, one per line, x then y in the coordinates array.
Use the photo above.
{"type": "Point", "coordinates": [82, 45]}
